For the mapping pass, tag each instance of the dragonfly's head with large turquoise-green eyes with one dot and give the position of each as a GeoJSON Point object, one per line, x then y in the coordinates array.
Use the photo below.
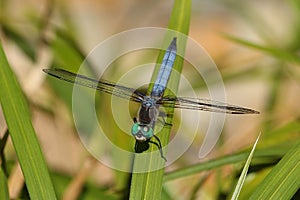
{"type": "Point", "coordinates": [141, 132]}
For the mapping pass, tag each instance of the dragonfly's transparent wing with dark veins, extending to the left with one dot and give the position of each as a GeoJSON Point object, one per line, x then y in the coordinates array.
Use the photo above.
{"type": "Point", "coordinates": [102, 85]}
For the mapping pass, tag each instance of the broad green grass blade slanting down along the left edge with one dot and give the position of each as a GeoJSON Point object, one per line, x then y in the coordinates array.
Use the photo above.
{"type": "Point", "coordinates": [23, 136]}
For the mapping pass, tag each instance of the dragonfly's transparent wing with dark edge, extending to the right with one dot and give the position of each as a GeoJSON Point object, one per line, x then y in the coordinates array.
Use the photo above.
{"type": "Point", "coordinates": [203, 104]}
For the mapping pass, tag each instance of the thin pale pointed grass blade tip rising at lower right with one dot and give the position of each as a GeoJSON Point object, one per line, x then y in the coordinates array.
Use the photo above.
{"type": "Point", "coordinates": [244, 172]}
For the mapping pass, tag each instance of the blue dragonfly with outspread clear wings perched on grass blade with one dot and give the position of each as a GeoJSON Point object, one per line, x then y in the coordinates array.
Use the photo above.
{"type": "Point", "coordinates": [143, 127]}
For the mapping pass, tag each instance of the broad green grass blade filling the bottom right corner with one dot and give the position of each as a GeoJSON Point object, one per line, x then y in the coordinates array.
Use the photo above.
{"type": "Point", "coordinates": [283, 181]}
